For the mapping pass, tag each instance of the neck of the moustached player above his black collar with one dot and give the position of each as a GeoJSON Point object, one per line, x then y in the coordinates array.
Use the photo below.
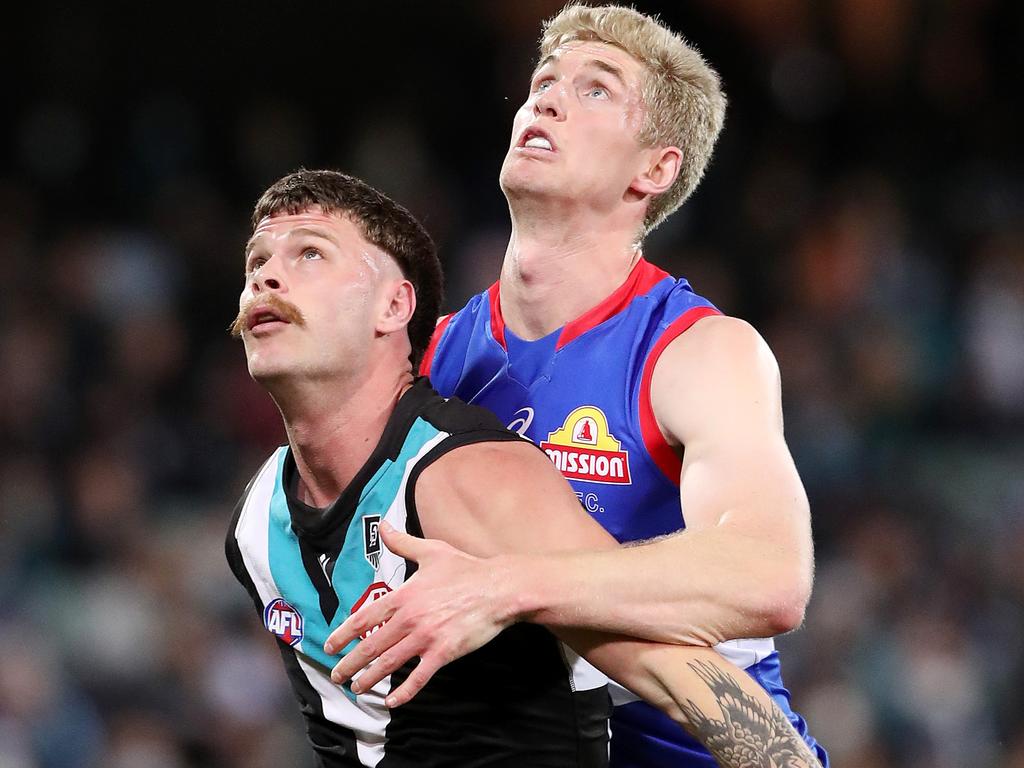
{"type": "Point", "coordinates": [333, 429]}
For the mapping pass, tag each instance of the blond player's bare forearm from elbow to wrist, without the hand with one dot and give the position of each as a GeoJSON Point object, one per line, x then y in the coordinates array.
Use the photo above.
{"type": "Point", "coordinates": [697, 588]}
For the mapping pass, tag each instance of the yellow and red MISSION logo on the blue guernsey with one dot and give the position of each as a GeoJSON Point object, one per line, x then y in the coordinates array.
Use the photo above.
{"type": "Point", "coordinates": [584, 449]}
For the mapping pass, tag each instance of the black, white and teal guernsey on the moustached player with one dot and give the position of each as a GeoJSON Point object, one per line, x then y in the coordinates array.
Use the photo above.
{"type": "Point", "coordinates": [524, 701]}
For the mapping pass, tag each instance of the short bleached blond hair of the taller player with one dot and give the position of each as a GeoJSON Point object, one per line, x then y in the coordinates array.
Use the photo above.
{"type": "Point", "coordinates": [684, 102]}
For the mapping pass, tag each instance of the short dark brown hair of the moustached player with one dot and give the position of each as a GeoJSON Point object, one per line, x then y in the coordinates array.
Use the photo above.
{"type": "Point", "coordinates": [381, 222]}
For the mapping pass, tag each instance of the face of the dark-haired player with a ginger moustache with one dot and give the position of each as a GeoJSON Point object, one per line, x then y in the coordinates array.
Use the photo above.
{"type": "Point", "coordinates": [313, 291]}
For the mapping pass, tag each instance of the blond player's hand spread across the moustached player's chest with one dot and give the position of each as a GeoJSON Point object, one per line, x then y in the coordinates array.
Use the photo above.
{"type": "Point", "coordinates": [454, 605]}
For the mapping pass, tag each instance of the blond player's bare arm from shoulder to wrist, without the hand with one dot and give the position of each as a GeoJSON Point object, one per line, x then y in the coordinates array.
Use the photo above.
{"type": "Point", "coordinates": [743, 568]}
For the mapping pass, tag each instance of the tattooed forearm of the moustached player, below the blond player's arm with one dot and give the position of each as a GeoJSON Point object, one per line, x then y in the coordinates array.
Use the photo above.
{"type": "Point", "coordinates": [719, 704]}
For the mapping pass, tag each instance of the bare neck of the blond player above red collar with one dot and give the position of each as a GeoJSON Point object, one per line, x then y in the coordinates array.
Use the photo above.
{"type": "Point", "coordinates": [557, 270]}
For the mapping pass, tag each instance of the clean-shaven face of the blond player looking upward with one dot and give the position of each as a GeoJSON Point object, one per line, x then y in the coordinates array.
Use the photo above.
{"type": "Point", "coordinates": [576, 137]}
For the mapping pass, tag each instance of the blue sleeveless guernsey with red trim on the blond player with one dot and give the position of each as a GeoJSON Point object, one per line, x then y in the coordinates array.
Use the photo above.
{"type": "Point", "coordinates": [583, 395]}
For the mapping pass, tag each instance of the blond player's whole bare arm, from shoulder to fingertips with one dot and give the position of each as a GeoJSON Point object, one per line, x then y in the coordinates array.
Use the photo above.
{"type": "Point", "coordinates": [742, 569]}
